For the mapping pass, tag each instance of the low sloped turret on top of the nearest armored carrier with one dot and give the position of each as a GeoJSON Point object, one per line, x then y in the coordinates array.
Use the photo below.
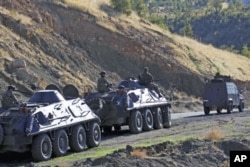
{"type": "Point", "coordinates": [46, 97]}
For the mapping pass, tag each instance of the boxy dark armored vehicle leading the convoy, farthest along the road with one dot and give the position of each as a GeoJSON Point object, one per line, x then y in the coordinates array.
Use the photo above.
{"type": "Point", "coordinates": [221, 93]}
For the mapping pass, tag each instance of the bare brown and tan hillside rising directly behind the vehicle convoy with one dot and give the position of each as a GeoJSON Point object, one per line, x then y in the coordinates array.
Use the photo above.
{"type": "Point", "coordinates": [71, 42]}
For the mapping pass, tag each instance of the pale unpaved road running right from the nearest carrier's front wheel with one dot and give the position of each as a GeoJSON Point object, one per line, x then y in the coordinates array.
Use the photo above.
{"type": "Point", "coordinates": [192, 124]}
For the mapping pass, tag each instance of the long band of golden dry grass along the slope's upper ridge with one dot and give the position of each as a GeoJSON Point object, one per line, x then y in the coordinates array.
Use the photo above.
{"type": "Point", "coordinates": [208, 60]}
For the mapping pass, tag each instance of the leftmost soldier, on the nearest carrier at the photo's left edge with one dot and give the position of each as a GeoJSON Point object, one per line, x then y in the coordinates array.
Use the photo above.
{"type": "Point", "coordinates": [9, 99]}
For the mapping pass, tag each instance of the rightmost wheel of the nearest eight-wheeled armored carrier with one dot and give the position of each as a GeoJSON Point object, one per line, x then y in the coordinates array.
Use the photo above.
{"type": "Point", "coordinates": [93, 135]}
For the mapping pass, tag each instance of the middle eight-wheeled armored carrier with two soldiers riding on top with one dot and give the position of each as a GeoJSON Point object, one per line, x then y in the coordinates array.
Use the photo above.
{"type": "Point", "coordinates": [130, 104]}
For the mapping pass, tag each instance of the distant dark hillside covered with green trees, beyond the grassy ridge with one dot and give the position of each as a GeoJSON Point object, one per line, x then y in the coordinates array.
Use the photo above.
{"type": "Point", "coordinates": [222, 23]}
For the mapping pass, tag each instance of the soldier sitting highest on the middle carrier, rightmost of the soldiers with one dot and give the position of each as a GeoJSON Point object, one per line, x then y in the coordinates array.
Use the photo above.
{"type": "Point", "coordinates": [146, 79]}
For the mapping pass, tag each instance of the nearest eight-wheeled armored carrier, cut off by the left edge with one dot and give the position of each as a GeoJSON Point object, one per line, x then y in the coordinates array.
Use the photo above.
{"type": "Point", "coordinates": [49, 125]}
